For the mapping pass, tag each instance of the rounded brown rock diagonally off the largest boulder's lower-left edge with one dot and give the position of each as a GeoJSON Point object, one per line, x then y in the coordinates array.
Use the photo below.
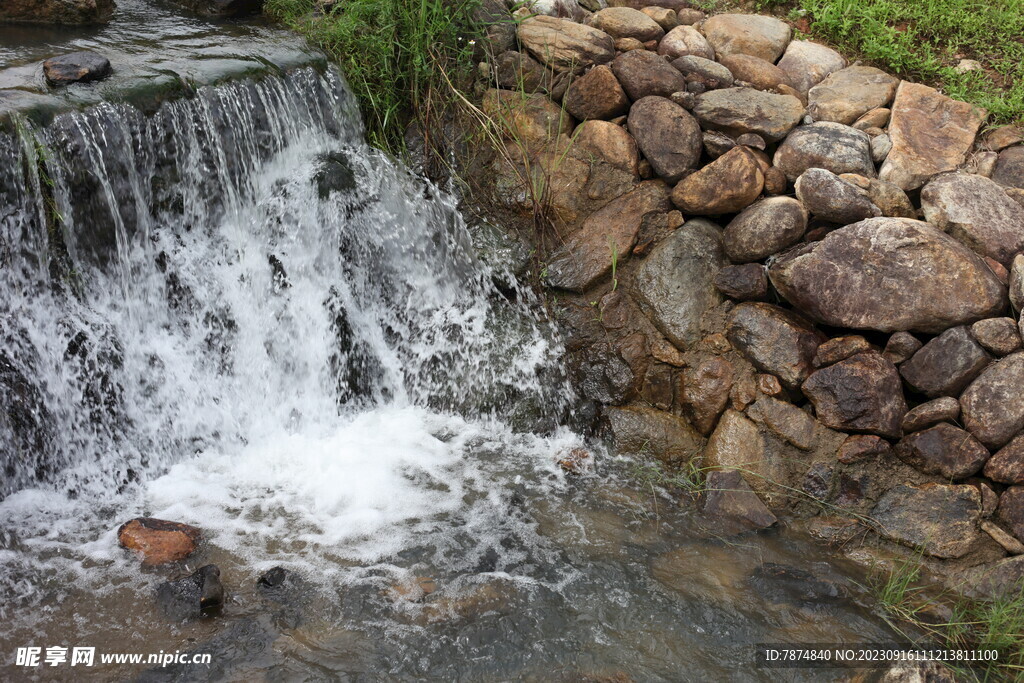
{"type": "Point", "coordinates": [776, 340]}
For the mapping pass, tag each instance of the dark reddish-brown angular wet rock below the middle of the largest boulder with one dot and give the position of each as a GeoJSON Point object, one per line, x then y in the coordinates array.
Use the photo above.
{"type": "Point", "coordinates": [862, 394]}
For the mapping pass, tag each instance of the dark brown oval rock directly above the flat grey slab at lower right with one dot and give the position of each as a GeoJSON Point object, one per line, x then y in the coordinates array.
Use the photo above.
{"type": "Point", "coordinates": [944, 450]}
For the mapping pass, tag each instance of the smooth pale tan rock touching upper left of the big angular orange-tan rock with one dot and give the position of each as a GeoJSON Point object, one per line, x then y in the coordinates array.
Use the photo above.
{"type": "Point", "coordinates": [849, 94]}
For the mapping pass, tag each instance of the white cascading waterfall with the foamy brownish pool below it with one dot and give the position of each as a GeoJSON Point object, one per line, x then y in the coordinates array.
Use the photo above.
{"type": "Point", "coordinates": [234, 314]}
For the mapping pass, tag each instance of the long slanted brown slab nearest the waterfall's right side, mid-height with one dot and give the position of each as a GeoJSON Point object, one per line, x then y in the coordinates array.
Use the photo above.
{"type": "Point", "coordinates": [608, 235]}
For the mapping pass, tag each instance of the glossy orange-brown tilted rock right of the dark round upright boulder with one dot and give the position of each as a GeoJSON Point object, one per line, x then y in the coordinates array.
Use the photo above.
{"type": "Point", "coordinates": [729, 185]}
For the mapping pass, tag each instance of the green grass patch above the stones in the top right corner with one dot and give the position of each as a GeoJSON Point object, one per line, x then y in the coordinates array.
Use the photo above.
{"type": "Point", "coordinates": [923, 40]}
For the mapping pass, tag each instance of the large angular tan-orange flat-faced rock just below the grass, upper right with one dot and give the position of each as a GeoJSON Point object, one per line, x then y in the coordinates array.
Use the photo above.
{"type": "Point", "coordinates": [931, 135]}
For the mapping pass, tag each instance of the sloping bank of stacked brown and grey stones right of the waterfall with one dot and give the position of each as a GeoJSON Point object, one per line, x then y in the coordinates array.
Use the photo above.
{"type": "Point", "coordinates": [803, 271]}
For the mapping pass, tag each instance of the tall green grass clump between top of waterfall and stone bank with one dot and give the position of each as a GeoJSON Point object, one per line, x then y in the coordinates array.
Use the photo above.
{"type": "Point", "coordinates": [399, 56]}
